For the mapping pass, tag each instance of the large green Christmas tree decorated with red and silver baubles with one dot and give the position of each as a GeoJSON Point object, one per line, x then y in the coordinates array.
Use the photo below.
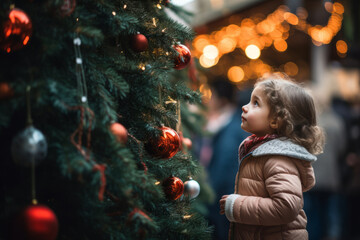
{"type": "Point", "coordinates": [94, 124]}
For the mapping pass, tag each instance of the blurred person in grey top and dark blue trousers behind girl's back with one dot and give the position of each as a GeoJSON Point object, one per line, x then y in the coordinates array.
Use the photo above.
{"type": "Point", "coordinates": [323, 203]}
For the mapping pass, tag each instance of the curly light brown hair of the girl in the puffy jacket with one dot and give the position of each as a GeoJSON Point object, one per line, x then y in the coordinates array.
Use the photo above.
{"type": "Point", "coordinates": [294, 109]}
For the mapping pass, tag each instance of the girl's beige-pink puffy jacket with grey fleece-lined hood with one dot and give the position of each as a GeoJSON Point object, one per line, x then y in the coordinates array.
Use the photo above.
{"type": "Point", "coordinates": [268, 199]}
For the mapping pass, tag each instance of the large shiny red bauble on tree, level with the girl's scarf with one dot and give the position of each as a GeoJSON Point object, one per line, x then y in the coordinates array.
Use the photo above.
{"type": "Point", "coordinates": [166, 145]}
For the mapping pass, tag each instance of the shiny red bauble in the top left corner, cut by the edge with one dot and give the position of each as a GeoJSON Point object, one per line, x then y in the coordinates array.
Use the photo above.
{"type": "Point", "coordinates": [16, 31]}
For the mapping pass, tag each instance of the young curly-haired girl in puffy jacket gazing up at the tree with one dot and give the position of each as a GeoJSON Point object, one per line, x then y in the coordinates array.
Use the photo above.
{"type": "Point", "coordinates": [275, 164]}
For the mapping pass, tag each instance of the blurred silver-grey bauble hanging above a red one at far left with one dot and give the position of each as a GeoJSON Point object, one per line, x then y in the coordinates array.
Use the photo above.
{"type": "Point", "coordinates": [29, 145]}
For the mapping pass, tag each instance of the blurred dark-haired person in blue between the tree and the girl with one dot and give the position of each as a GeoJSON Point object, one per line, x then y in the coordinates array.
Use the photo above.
{"type": "Point", "coordinates": [219, 148]}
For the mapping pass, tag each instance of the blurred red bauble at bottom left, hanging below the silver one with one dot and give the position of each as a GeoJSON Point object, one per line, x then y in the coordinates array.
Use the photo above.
{"type": "Point", "coordinates": [36, 222]}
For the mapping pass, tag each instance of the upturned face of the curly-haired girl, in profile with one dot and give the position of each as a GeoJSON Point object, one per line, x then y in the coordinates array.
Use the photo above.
{"type": "Point", "coordinates": [255, 116]}
